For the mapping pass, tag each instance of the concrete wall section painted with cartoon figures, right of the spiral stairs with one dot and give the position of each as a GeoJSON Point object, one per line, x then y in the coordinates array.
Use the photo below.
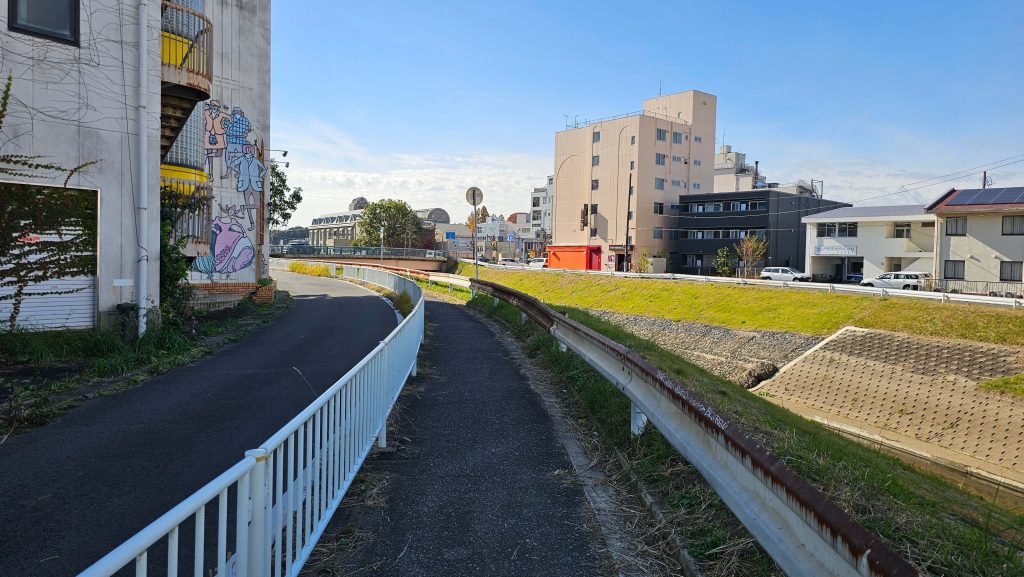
{"type": "Point", "coordinates": [241, 80]}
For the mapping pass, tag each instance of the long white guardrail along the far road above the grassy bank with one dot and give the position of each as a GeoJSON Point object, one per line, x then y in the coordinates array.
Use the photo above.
{"type": "Point", "coordinates": [824, 287]}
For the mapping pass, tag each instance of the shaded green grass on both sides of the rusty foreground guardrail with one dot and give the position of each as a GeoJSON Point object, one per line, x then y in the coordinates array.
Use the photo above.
{"type": "Point", "coordinates": [940, 528]}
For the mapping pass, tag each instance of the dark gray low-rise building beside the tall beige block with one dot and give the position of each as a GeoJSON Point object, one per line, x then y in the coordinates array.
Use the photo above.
{"type": "Point", "coordinates": [708, 223]}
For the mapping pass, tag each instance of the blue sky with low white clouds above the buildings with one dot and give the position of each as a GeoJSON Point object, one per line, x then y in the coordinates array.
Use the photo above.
{"type": "Point", "coordinates": [422, 100]}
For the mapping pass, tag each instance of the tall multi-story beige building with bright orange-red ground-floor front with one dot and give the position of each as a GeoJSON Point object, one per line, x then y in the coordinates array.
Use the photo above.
{"type": "Point", "coordinates": [619, 178]}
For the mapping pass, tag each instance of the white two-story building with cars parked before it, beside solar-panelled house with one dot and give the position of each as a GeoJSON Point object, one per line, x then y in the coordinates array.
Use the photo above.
{"type": "Point", "coordinates": [870, 241]}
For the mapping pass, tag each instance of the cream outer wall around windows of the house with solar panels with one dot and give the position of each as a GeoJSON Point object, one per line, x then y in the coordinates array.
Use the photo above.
{"type": "Point", "coordinates": [983, 250]}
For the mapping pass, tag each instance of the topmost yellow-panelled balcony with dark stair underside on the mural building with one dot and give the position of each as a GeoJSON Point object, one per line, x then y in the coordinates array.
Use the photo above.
{"type": "Point", "coordinates": [187, 66]}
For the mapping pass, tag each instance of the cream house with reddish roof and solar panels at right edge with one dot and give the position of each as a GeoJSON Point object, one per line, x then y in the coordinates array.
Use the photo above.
{"type": "Point", "coordinates": [980, 245]}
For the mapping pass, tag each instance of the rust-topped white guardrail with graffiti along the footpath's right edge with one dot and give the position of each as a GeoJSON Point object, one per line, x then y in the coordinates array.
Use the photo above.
{"type": "Point", "coordinates": [799, 527]}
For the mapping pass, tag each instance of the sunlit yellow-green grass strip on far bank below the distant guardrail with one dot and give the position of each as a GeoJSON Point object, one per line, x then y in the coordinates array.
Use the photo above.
{"type": "Point", "coordinates": [759, 308]}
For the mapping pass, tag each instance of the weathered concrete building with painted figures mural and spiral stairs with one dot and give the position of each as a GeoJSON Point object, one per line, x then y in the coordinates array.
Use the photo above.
{"type": "Point", "coordinates": [196, 123]}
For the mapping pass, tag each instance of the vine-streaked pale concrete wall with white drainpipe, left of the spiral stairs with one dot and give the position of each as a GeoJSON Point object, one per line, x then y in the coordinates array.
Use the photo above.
{"type": "Point", "coordinates": [69, 105]}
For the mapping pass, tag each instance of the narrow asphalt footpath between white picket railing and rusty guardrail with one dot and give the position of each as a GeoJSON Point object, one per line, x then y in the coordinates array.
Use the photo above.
{"type": "Point", "coordinates": [480, 484]}
